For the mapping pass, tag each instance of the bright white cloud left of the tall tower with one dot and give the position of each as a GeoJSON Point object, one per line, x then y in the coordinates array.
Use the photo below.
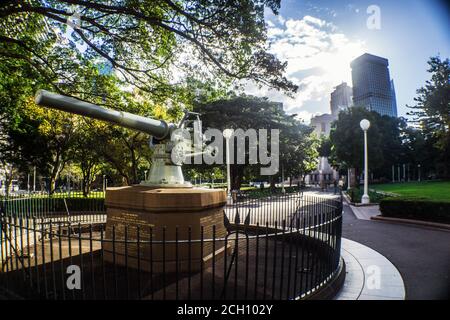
{"type": "Point", "coordinates": [318, 57]}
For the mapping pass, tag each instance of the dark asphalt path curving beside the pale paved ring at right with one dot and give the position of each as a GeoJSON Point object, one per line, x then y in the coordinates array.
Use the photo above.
{"type": "Point", "coordinates": [421, 254]}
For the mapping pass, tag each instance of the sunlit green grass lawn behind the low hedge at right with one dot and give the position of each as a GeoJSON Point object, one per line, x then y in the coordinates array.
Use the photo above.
{"type": "Point", "coordinates": [435, 190]}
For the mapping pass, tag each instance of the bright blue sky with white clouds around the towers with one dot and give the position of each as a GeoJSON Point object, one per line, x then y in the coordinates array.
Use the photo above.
{"type": "Point", "coordinates": [319, 38]}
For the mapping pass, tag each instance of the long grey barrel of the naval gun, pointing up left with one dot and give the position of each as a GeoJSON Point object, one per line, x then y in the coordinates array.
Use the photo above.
{"type": "Point", "coordinates": [157, 128]}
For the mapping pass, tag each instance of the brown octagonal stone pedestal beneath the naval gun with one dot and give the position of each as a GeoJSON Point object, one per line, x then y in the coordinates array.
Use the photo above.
{"type": "Point", "coordinates": [158, 217]}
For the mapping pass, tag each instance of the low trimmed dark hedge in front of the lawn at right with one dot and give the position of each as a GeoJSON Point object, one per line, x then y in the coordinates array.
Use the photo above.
{"type": "Point", "coordinates": [416, 208]}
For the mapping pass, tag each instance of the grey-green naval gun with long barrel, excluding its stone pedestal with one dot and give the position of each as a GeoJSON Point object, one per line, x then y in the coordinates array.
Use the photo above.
{"type": "Point", "coordinates": [170, 145]}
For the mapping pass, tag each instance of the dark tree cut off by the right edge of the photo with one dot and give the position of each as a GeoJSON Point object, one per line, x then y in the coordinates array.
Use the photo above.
{"type": "Point", "coordinates": [432, 110]}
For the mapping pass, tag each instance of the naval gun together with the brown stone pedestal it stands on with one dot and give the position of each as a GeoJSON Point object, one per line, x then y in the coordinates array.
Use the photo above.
{"type": "Point", "coordinates": [164, 201]}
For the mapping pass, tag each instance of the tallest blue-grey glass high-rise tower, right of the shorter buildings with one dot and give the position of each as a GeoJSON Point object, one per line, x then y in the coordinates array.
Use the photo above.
{"type": "Point", "coordinates": [372, 85]}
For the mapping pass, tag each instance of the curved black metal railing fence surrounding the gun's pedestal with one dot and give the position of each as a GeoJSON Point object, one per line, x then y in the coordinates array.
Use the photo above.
{"type": "Point", "coordinates": [280, 247]}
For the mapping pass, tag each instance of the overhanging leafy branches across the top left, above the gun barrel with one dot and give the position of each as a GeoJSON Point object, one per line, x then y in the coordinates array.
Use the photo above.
{"type": "Point", "coordinates": [144, 41]}
